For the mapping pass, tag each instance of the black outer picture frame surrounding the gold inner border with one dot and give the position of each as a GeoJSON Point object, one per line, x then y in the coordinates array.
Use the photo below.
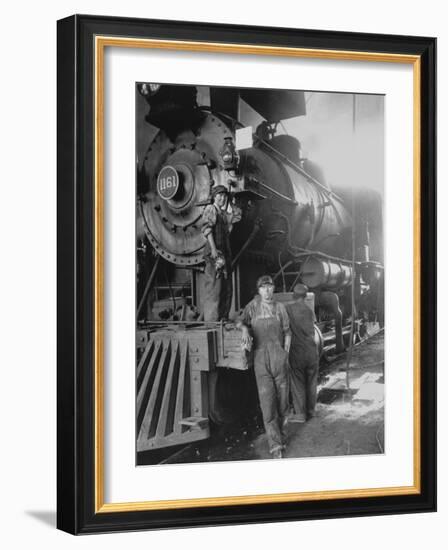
{"type": "Point", "coordinates": [79, 504]}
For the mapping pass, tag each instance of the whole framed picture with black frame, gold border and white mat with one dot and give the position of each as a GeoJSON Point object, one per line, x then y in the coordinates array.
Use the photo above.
{"type": "Point", "coordinates": [246, 274]}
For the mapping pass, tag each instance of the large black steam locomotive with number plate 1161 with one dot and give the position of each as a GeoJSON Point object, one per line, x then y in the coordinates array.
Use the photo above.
{"type": "Point", "coordinates": [291, 225]}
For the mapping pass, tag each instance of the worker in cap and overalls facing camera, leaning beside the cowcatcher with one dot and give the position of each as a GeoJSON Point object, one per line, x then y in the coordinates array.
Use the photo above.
{"type": "Point", "coordinates": [265, 325]}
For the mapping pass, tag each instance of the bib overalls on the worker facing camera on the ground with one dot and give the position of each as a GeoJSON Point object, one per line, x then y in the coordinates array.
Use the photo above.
{"type": "Point", "coordinates": [270, 366]}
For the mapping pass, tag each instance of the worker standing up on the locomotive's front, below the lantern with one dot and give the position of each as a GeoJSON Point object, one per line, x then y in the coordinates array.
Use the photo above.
{"type": "Point", "coordinates": [216, 226]}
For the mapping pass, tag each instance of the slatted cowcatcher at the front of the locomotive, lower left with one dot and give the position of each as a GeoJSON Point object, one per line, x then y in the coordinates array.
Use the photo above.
{"type": "Point", "coordinates": [172, 392]}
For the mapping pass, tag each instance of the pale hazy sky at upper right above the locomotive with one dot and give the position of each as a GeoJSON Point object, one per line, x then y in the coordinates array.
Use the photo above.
{"type": "Point", "coordinates": [348, 158]}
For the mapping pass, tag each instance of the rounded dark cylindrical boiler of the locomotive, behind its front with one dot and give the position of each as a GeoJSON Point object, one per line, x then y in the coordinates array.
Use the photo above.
{"type": "Point", "coordinates": [300, 212]}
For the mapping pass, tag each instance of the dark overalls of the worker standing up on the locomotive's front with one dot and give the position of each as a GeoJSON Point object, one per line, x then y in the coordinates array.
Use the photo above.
{"type": "Point", "coordinates": [217, 289]}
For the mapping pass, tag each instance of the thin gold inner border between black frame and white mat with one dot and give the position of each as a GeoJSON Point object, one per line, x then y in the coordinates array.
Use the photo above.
{"type": "Point", "coordinates": [101, 42]}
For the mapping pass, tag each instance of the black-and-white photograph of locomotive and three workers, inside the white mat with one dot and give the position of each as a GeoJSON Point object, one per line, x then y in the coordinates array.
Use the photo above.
{"type": "Point", "coordinates": [260, 323]}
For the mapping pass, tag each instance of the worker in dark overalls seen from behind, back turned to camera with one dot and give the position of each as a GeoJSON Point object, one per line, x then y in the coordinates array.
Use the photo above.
{"type": "Point", "coordinates": [303, 356]}
